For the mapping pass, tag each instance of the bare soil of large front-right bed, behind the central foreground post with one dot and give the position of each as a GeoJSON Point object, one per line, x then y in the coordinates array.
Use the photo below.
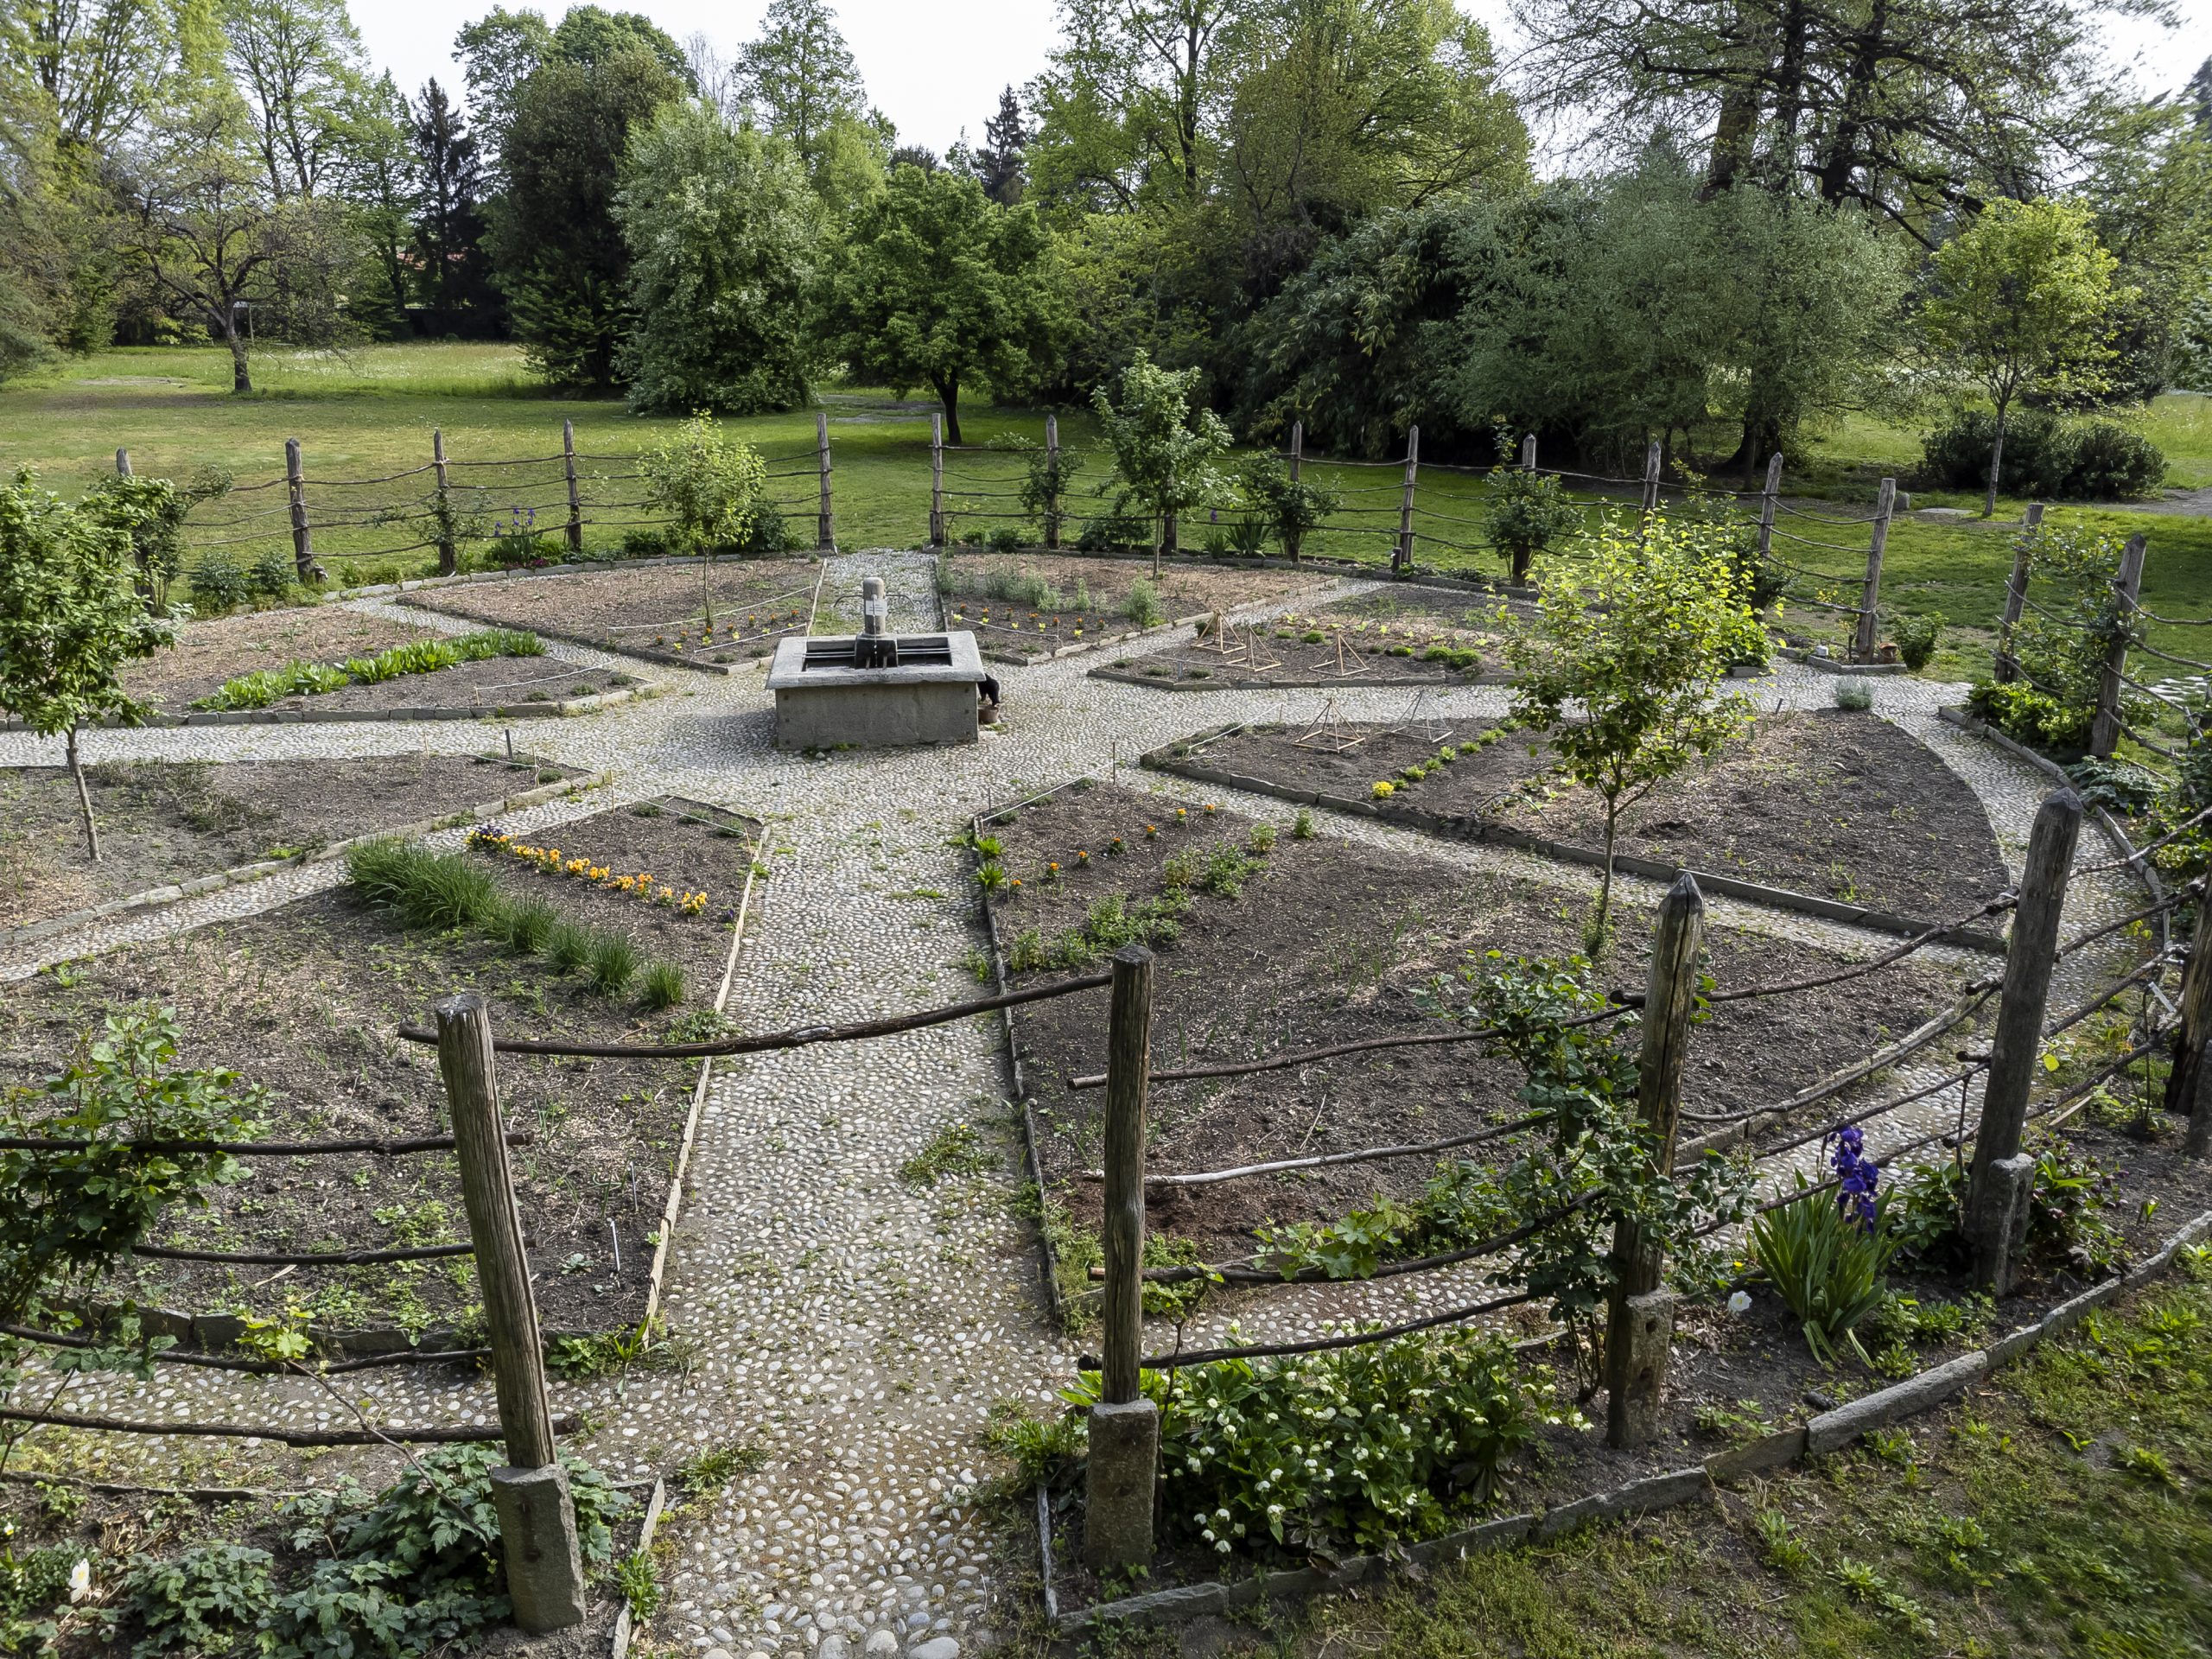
{"type": "Point", "coordinates": [1331, 943]}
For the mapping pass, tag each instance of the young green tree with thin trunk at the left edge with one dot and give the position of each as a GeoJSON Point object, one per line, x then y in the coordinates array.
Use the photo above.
{"type": "Point", "coordinates": [70, 620]}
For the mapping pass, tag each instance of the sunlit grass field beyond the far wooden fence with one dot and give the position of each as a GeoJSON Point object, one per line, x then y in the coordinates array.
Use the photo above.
{"type": "Point", "coordinates": [371, 415]}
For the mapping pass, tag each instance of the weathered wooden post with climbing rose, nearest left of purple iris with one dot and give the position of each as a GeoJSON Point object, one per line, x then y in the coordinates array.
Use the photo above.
{"type": "Point", "coordinates": [1640, 1324]}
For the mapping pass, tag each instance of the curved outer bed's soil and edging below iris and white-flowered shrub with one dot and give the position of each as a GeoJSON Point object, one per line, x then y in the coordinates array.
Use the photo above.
{"type": "Point", "coordinates": [1744, 1397]}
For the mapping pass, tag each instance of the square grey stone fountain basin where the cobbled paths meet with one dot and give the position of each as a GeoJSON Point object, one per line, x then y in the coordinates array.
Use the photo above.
{"type": "Point", "coordinates": [824, 700]}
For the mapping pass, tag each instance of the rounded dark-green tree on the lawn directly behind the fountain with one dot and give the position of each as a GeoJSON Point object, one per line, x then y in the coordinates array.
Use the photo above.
{"type": "Point", "coordinates": [941, 286]}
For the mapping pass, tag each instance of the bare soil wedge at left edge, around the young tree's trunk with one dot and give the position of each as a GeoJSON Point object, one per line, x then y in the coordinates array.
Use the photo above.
{"type": "Point", "coordinates": [167, 822]}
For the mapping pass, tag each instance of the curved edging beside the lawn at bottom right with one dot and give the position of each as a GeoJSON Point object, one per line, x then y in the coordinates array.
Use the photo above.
{"type": "Point", "coordinates": [1817, 1437]}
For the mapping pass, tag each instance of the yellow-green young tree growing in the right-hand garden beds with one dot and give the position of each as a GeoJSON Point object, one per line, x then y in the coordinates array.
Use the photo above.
{"type": "Point", "coordinates": [1620, 671]}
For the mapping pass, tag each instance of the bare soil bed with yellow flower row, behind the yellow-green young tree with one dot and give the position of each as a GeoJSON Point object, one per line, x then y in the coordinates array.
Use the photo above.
{"type": "Point", "coordinates": [1819, 802]}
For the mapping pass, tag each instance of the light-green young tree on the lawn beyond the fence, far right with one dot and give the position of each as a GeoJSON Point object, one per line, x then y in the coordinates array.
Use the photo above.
{"type": "Point", "coordinates": [2023, 304]}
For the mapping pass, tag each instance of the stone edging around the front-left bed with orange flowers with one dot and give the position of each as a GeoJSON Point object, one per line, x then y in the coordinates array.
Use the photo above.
{"type": "Point", "coordinates": [218, 1333]}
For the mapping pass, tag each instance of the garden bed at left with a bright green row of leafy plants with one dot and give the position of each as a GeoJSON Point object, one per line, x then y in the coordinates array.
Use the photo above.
{"type": "Point", "coordinates": [213, 654]}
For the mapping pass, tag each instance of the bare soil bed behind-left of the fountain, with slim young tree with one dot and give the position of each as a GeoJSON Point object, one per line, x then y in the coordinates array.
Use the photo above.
{"type": "Point", "coordinates": [654, 612]}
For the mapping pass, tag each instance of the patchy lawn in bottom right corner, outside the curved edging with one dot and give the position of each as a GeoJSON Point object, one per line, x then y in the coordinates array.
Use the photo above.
{"type": "Point", "coordinates": [2065, 1510]}
